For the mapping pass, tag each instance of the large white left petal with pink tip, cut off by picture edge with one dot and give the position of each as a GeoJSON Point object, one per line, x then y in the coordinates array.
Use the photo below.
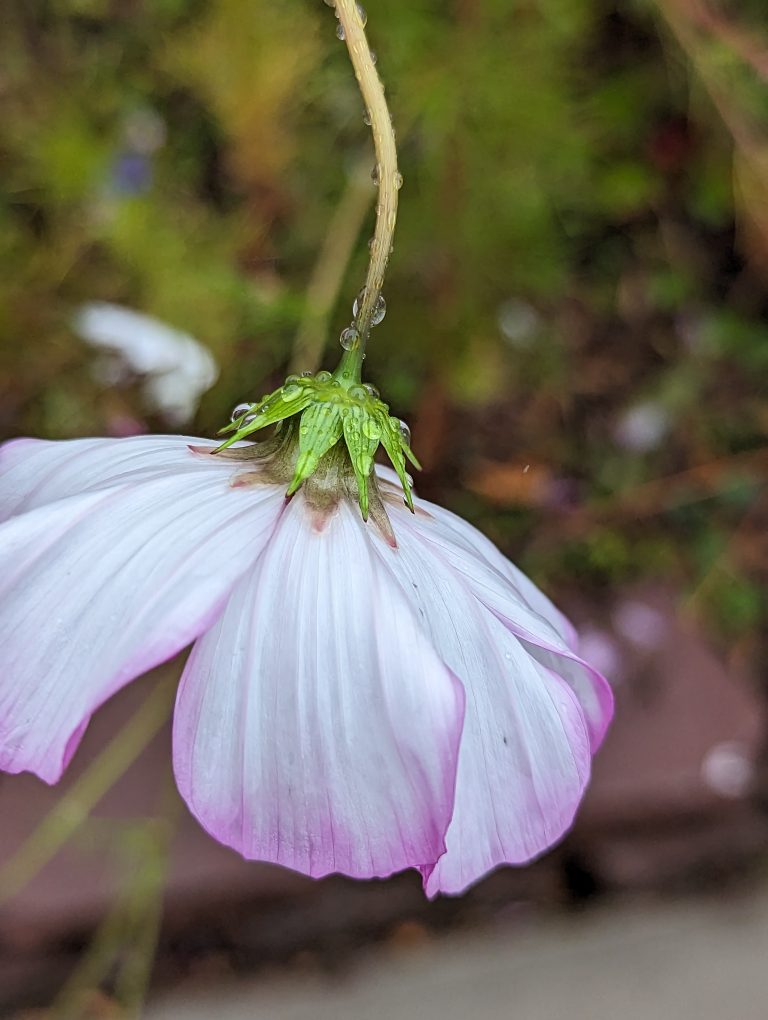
{"type": "Point", "coordinates": [97, 589]}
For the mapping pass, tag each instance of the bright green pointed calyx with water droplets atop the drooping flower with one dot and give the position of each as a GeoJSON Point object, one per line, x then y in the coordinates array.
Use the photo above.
{"type": "Point", "coordinates": [333, 407]}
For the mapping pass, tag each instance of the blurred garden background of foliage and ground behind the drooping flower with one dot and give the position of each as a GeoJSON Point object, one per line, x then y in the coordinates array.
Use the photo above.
{"type": "Point", "coordinates": [577, 332]}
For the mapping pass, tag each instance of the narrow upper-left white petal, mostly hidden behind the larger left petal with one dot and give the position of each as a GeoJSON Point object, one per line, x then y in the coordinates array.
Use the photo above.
{"type": "Point", "coordinates": [37, 472]}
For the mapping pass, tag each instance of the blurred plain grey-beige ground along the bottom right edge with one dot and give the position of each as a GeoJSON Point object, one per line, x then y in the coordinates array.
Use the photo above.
{"type": "Point", "coordinates": [683, 960]}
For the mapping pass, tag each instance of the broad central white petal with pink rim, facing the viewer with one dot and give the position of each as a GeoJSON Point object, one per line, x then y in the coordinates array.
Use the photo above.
{"type": "Point", "coordinates": [316, 726]}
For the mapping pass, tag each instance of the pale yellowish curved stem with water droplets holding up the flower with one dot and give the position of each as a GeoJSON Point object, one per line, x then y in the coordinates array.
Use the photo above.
{"type": "Point", "coordinates": [387, 162]}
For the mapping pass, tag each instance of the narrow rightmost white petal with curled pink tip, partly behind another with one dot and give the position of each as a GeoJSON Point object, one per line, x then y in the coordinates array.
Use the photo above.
{"type": "Point", "coordinates": [524, 609]}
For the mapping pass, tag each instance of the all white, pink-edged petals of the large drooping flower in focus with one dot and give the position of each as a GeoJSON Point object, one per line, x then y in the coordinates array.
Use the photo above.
{"type": "Point", "coordinates": [350, 705]}
